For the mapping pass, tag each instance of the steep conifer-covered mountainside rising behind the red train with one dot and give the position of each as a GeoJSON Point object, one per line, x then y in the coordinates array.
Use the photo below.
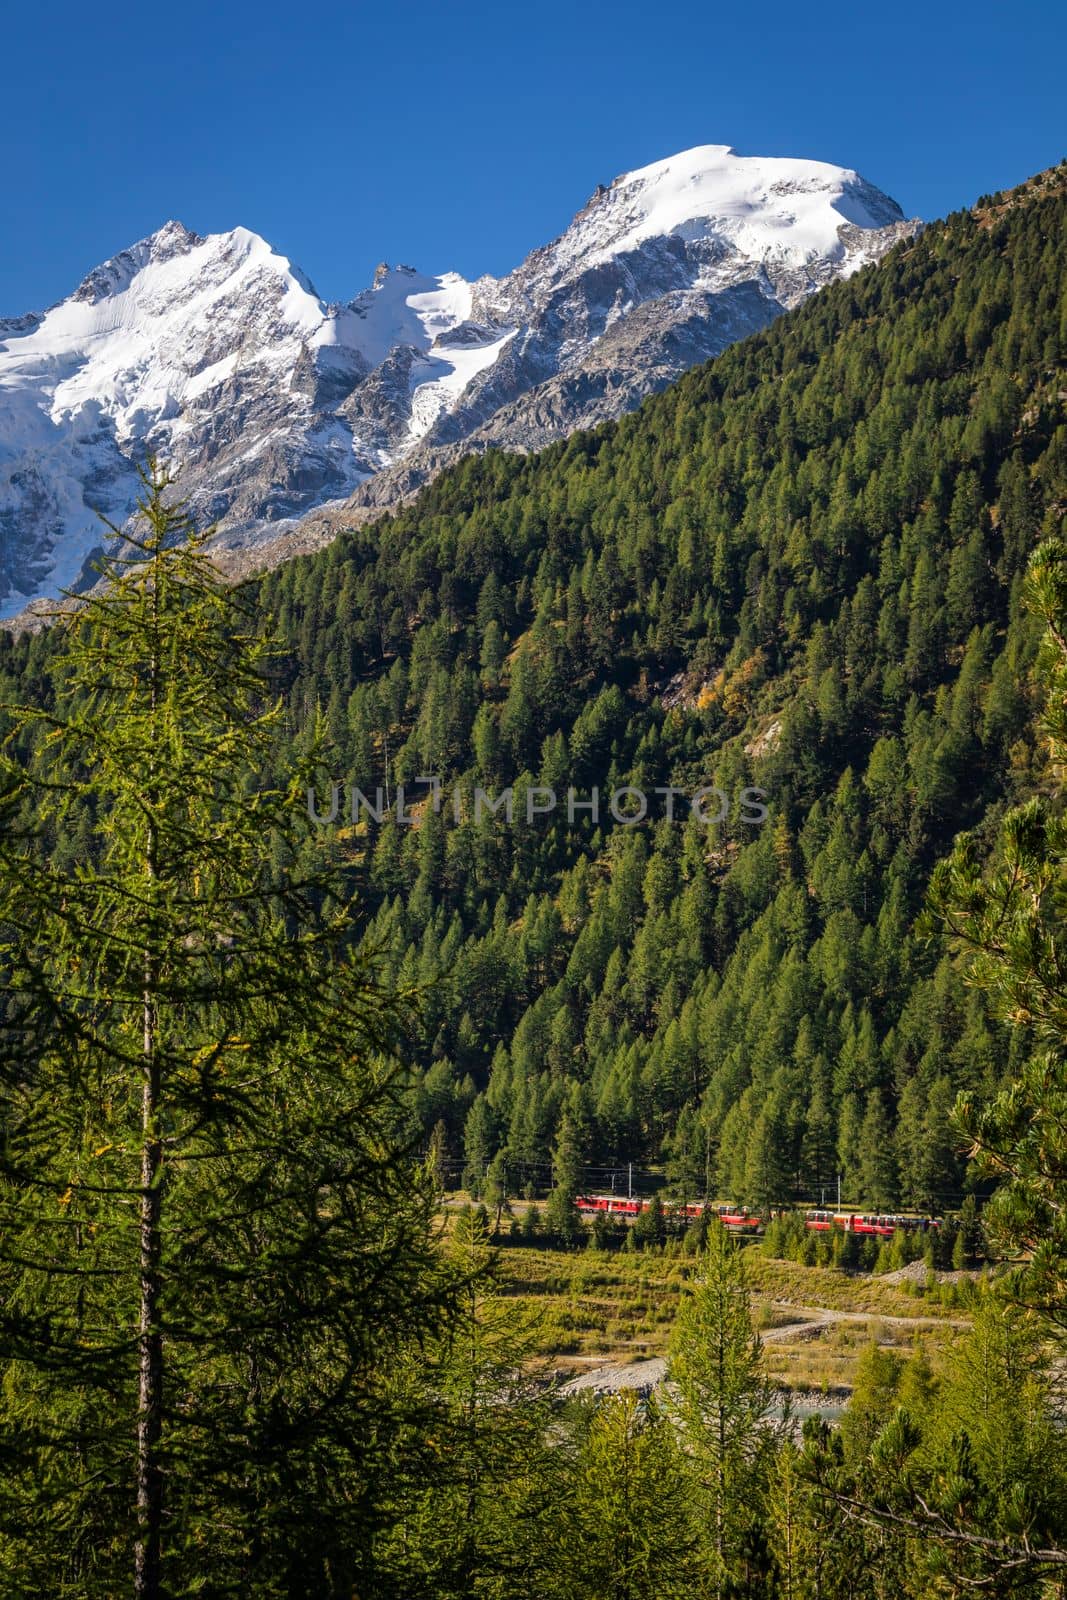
{"type": "Point", "coordinates": [797, 569]}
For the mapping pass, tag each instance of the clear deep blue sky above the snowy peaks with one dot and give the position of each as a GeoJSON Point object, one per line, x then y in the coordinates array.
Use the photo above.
{"type": "Point", "coordinates": [458, 135]}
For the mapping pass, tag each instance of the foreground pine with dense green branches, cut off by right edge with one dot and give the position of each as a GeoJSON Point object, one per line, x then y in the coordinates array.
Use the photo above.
{"type": "Point", "coordinates": [972, 1489]}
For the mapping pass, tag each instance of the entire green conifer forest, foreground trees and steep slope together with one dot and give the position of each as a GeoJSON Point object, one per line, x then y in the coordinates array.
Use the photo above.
{"type": "Point", "coordinates": [246, 1047]}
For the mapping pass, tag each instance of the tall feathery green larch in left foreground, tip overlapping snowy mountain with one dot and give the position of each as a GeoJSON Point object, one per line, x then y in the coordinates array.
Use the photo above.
{"type": "Point", "coordinates": [215, 1246]}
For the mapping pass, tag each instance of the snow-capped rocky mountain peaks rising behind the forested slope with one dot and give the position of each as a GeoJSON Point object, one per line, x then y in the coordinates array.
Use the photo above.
{"type": "Point", "coordinates": [220, 356]}
